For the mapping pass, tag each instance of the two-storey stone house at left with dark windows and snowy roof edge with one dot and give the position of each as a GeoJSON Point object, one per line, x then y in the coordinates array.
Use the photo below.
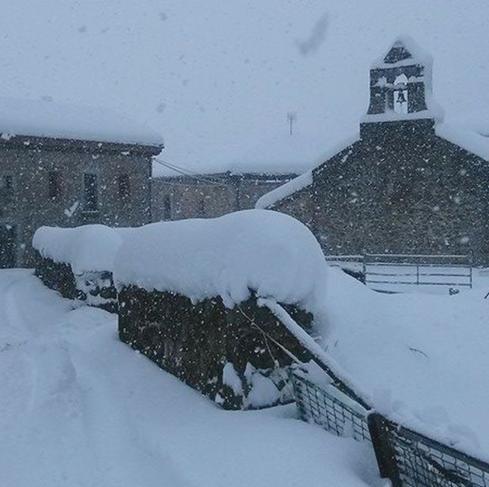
{"type": "Point", "coordinates": [56, 177]}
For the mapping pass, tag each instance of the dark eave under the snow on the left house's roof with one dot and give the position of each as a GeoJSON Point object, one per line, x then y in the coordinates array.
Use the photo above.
{"type": "Point", "coordinates": [77, 145]}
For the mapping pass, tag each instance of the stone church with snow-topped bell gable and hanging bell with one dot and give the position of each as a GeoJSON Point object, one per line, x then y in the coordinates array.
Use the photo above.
{"type": "Point", "coordinates": [402, 187]}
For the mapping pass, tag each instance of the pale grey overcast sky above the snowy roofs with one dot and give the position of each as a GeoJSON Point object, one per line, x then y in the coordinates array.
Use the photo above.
{"type": "Point", "coordinates": [217, 78]}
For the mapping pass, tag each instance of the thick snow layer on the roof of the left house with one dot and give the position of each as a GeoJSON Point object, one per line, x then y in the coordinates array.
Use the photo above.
{"type": "Point", "coordinates": [45, 118]}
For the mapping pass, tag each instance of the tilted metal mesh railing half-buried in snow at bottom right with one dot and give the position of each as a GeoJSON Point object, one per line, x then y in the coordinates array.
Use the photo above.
{"type": "Point", "coordinates": [406, 457]}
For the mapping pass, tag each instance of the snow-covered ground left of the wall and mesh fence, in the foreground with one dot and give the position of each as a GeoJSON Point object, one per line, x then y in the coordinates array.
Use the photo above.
{"type": "Point", "coordinates": [79, 408]}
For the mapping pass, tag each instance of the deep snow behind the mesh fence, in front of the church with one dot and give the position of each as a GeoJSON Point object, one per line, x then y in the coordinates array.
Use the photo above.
{"type": "Point", "coordinates": [422, 358]}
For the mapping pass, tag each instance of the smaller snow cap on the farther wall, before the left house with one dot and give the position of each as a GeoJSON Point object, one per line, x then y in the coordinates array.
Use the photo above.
{"type": "Point", "coordinates": [85, 248]}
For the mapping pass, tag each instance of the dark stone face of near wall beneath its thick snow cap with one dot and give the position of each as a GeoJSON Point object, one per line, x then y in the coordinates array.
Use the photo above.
{"type": "Point", "coordinates": [205, 345]}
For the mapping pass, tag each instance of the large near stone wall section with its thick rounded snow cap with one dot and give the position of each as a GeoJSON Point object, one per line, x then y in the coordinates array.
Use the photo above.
{"type": "Point", "coordinates": [189, 299]}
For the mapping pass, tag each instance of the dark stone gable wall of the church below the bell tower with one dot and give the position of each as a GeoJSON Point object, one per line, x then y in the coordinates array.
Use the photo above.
{"type": "Point", "coordinates": [400, 190]}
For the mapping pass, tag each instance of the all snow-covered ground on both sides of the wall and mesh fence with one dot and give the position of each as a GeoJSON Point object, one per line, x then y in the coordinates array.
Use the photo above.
{"type": "Point", "coordinates": [80, 408]}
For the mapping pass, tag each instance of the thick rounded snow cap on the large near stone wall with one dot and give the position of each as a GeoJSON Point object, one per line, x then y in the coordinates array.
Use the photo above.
{"type": "Point", "coordinates": [267, 252]}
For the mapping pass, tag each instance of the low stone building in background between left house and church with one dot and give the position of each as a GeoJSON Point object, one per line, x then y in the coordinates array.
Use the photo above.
{"type": "Point", "coordinates": [209, 195]}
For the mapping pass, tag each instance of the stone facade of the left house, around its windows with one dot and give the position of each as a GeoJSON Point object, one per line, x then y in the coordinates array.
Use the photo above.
{"type": "Point", "coordinates": [29, 161]}
